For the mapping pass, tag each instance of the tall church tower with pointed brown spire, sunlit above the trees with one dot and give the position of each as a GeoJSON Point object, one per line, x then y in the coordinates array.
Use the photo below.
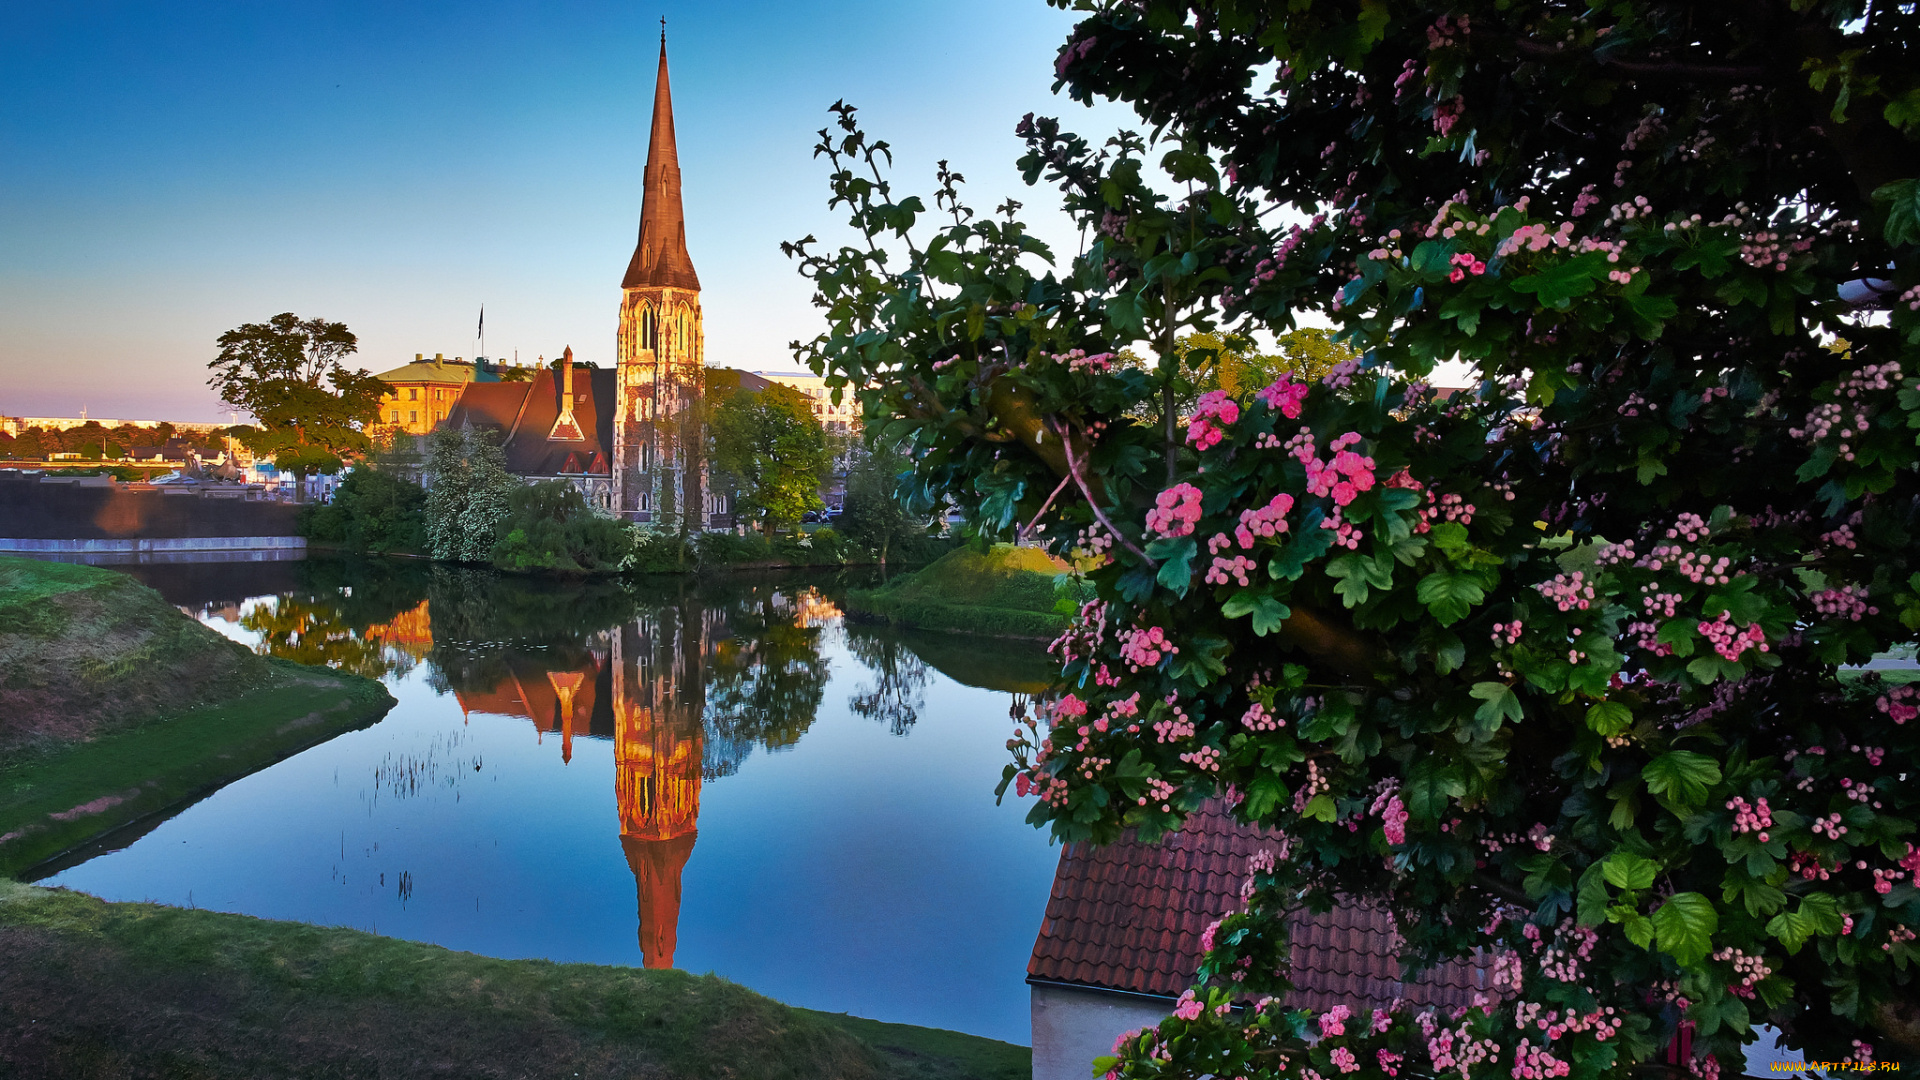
{"type": "Point", "coordinates": [660, 466]}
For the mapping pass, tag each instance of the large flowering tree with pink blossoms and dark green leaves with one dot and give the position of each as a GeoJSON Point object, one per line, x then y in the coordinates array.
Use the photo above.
{"type": "Point", "coordinates": [1552, 668]}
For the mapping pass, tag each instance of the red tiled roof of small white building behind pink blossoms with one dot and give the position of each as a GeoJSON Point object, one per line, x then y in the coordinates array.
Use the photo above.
{"type": "Point", "coordinates": [1130, 918]}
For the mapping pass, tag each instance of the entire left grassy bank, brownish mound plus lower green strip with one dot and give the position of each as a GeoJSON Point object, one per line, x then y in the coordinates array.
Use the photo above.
{"type": "Point", "coordinates": [114, 706]}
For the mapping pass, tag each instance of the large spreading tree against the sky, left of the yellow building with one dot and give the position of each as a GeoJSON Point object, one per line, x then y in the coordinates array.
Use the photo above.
{"type": "Point", "coordinates": [293, 378]}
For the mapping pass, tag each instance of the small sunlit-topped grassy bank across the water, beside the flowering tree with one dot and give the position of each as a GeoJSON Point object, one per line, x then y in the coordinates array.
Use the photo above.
{"type": "Point", "coordinates": [1005, 593]}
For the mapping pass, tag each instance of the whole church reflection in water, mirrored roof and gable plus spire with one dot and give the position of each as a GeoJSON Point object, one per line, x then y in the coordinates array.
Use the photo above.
{"type": "Point", "coordinates": [644, 689]}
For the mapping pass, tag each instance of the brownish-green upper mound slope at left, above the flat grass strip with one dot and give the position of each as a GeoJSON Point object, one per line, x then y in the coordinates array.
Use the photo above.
{"type": "Point", "coordinates": [85, 650]}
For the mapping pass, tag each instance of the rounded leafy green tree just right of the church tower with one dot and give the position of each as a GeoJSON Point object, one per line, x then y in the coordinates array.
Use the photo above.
{"type": "Point", "coordinates": [775, 451]}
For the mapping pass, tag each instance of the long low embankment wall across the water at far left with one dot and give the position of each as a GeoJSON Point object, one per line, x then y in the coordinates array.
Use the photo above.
{"type": "Point", "coordinates": [137, 520]}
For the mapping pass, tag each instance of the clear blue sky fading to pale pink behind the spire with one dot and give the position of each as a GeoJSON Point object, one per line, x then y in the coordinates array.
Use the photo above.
{"type": "Point", "coordinates": [176, 170]}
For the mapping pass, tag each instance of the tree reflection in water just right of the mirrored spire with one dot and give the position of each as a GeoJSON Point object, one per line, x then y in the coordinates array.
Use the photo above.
{"type": "Point", "coordinates": [767, 677]}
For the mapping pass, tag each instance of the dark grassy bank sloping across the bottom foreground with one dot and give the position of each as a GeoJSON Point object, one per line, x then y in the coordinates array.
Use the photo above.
{"type": "Point", "coordinates": [93, 989]}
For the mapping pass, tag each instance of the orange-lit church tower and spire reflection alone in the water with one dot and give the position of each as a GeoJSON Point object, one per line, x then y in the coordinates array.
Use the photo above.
{"type": "Point", "coordinates": [658, 700]}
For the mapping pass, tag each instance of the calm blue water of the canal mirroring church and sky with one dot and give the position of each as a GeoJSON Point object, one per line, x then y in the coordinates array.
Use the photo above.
{"type": "Point", "coordinates": [704, 775]}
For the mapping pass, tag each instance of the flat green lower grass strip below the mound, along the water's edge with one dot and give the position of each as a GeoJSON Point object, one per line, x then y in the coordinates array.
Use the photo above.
{"type": "Point", "coordinates": [62, 797]}
